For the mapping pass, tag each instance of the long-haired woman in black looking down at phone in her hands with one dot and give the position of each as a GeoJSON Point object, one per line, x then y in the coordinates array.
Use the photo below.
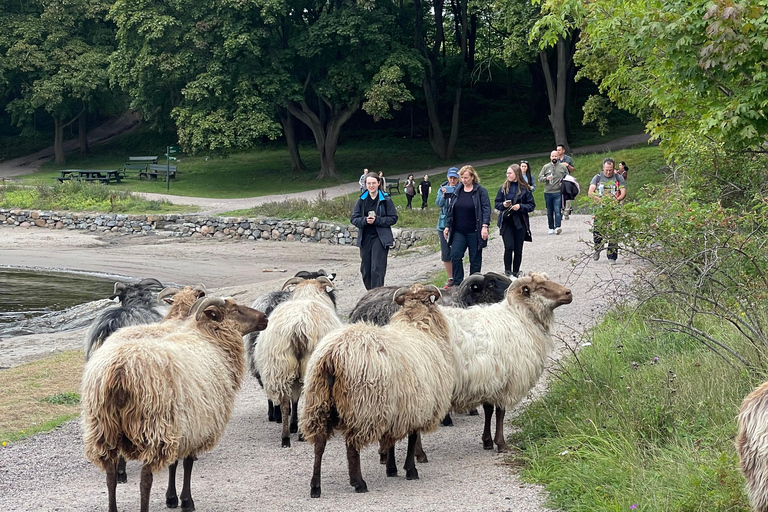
{"type": "Point", "coordinates": [514, 202]}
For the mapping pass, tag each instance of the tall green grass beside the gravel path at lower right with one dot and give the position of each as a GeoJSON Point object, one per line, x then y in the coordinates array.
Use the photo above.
{"type": "Point", "coordinates": [639, 418]}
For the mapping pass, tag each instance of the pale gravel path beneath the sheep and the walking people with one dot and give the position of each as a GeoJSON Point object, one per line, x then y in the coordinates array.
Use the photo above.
{"type": "Point", "coordinates": [249, 470]}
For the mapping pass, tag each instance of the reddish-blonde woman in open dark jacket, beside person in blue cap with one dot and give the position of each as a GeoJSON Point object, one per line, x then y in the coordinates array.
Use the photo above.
{"type": "Point", "coordinates": [466, 223]}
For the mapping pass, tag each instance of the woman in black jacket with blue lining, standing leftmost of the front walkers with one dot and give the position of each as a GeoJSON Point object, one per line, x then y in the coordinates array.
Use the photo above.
{"type": "Point", "coordinates": [374, 215]}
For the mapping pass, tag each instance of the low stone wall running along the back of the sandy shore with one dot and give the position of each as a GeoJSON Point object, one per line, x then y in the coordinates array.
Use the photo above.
{"type": "Point", "coordinates": [260, 228]}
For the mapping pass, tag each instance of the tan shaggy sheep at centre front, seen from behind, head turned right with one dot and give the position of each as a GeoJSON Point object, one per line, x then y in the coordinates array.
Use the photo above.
{"type": "Point", "coordinates": [380, 384]}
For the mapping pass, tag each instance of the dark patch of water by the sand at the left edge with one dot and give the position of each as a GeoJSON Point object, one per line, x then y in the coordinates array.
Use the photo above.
{"type": "Point", "coordinates": [26, 293]}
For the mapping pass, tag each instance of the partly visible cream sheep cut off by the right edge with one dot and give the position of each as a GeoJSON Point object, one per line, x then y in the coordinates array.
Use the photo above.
{"type": "Point", "coordinates": [751, 445]}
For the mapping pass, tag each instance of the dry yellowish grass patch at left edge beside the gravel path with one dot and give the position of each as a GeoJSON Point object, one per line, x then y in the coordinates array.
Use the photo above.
{"type": "Point", "coordinates": [38, 396]}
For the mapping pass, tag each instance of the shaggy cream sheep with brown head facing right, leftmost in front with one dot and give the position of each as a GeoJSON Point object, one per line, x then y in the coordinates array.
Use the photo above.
{"type": "Point", "coordinates": [165, 396]}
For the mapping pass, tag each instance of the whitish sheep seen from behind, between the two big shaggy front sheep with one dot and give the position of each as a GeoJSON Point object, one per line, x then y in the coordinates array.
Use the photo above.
{"type": "Point", "coordinates": [284, 347]}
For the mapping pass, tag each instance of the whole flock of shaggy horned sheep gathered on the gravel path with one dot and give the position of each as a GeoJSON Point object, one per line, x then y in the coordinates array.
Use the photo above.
{"type": "Point", "coordinates": [161, 375]}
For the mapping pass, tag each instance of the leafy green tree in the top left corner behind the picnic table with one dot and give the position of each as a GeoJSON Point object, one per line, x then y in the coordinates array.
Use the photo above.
{"type": "Point", "coordinates": [55, 58]}
